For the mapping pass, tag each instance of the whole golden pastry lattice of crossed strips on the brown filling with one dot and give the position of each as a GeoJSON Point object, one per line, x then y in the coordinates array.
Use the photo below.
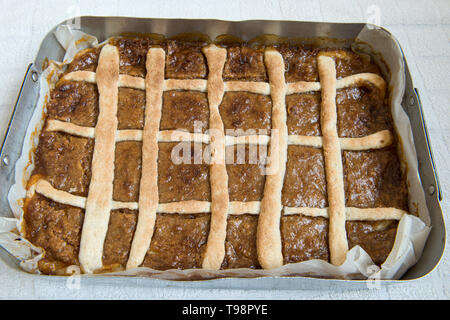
{"type": "Point", "coordinates": [268, 236]}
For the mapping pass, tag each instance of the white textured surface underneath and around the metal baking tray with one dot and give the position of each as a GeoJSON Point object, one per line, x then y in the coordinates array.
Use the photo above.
{"type": "Point", "coordinates": [422, 27]}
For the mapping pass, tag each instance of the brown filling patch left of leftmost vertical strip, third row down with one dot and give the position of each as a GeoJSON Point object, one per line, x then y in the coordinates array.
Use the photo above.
{"type": "Point", "coordinates": [65, 161]}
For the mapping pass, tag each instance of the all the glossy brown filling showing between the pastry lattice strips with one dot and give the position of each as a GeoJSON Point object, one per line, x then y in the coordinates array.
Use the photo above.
{"type": "Point", "coordinates": [371, 178]}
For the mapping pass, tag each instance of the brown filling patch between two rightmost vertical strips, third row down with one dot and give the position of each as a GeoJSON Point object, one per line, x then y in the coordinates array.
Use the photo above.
{"type": "Point", "coordinates": [304, 182]}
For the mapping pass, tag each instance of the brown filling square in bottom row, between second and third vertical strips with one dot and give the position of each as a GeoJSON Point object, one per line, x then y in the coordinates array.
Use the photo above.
{"type": "Point", "coordinates": [178, 242]}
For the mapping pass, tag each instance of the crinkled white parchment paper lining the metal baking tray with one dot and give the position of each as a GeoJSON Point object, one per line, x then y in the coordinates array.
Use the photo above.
{"type": "Point", "coordinates": [412, 231]}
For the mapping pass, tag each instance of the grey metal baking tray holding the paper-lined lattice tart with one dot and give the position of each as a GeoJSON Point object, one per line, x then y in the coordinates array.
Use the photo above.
{"type": "Point", "coordinates": [105, 27]}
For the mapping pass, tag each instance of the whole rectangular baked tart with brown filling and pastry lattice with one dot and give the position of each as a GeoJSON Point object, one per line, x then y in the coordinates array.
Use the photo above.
{"type": "Point", "coordinates": [283, 154]}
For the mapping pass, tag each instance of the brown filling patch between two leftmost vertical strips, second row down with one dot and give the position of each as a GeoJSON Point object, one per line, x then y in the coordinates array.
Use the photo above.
{"type": "Point", "coordinates": [130, 108]}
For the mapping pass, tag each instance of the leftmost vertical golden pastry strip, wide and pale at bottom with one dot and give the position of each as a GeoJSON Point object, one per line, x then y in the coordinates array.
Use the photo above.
{"type": "Point", "coordinates": [99, 199]}
